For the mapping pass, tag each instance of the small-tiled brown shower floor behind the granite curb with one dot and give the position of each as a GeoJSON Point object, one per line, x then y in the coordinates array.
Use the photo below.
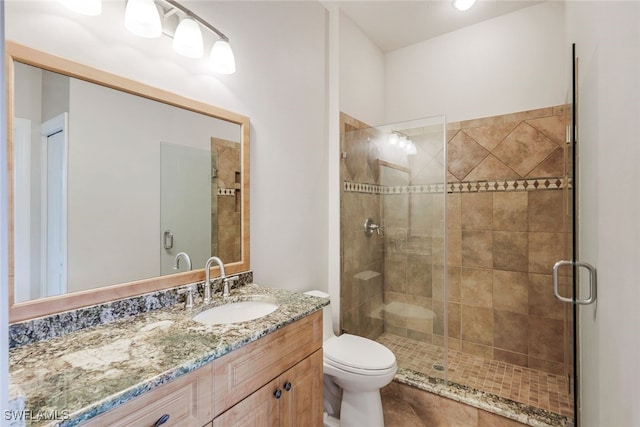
{"type": "Point", "coordinates": [531, 387]}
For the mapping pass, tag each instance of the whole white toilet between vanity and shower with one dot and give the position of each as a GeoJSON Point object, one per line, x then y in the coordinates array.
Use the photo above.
{"type": "Point", "coordinates": [355, 369]}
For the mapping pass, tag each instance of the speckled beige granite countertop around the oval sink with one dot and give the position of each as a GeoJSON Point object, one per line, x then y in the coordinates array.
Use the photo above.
{"type": "Point", "coordinates": [85, 373]}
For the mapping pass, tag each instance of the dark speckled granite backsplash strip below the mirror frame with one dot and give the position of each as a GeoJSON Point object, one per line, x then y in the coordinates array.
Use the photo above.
{"type": "Point", "coordinates": [58, 324]}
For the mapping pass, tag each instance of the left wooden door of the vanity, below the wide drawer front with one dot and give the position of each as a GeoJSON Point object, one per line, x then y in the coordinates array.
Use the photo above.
{"type": "Point", "coordinates": [258, 409]}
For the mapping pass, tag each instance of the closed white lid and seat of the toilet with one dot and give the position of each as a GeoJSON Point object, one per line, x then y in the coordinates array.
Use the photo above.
{"type": "Point", "coordinates": [358, 355]}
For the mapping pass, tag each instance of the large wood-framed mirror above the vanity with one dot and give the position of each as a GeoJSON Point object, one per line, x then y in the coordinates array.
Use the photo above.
{"type": "Point", "coordinates": [110, 180]}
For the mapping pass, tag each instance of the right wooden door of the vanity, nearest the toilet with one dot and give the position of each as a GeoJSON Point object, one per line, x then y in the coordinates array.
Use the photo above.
{"type": "Point", "coordinates": [302, 402]}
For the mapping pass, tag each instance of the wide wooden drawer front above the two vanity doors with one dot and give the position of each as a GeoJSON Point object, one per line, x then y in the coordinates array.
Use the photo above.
{"type": "Point", "coordinates": [247, 369]}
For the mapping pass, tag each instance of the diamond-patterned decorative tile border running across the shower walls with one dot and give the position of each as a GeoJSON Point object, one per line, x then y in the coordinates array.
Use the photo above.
{"type": "Point", "coordinates": [555, 183]}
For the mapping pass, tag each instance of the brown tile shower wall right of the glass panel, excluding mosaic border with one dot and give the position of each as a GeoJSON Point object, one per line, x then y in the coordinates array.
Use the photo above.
{"type": "Point", "coordinates": [503, 244]}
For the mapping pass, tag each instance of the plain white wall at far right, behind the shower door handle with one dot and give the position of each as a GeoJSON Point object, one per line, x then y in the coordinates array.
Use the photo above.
{"type": "Point", "coordinates": [607, 38]}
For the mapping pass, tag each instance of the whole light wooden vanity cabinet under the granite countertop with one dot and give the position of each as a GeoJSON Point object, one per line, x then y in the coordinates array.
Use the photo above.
{"type": "Point", "coordinates": [239, 388]}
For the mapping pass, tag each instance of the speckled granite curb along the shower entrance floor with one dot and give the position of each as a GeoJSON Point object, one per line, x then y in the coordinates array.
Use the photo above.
{"type": "Point", "coordinates": [525, 414]}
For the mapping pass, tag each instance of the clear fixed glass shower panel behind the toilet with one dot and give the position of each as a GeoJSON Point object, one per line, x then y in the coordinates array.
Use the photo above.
{"type": "Point", "coordinates": [393, 280]}
